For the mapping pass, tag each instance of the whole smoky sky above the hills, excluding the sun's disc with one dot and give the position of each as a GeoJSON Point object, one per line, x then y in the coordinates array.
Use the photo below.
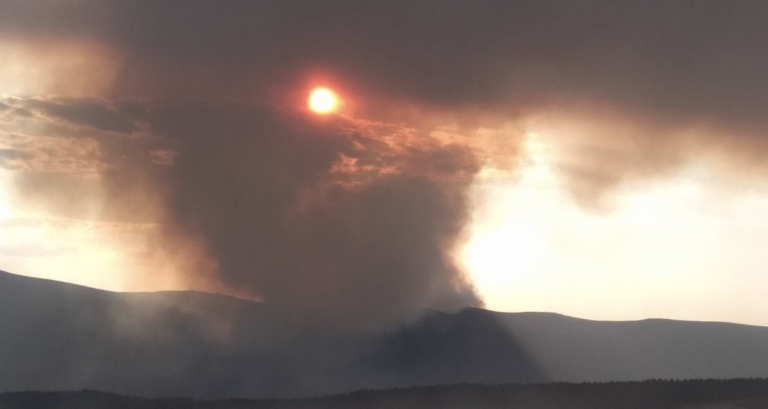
{"type": "Point", "coordinates": [599, 159]}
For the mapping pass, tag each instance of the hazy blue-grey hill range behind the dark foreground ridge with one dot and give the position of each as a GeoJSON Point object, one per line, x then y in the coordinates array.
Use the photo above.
{"type": "Point", "coordinates": [58, 336]}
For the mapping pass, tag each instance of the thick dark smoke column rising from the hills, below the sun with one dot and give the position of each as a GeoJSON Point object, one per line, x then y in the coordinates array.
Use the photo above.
{"type": "Point", "coordinates": [355, 248]}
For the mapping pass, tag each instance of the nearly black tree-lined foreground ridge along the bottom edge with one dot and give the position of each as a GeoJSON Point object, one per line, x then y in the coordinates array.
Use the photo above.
{"type": "Point", "coordinates": [656, 394]}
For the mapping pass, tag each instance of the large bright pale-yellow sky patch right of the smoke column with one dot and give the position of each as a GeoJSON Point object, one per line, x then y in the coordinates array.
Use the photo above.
{"type": "Point", "coordinates": [684, 247]}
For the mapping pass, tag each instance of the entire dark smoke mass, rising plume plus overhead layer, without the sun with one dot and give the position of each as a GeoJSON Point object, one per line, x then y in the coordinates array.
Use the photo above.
{"type": "Point", "coordinates": [346, 218]}
